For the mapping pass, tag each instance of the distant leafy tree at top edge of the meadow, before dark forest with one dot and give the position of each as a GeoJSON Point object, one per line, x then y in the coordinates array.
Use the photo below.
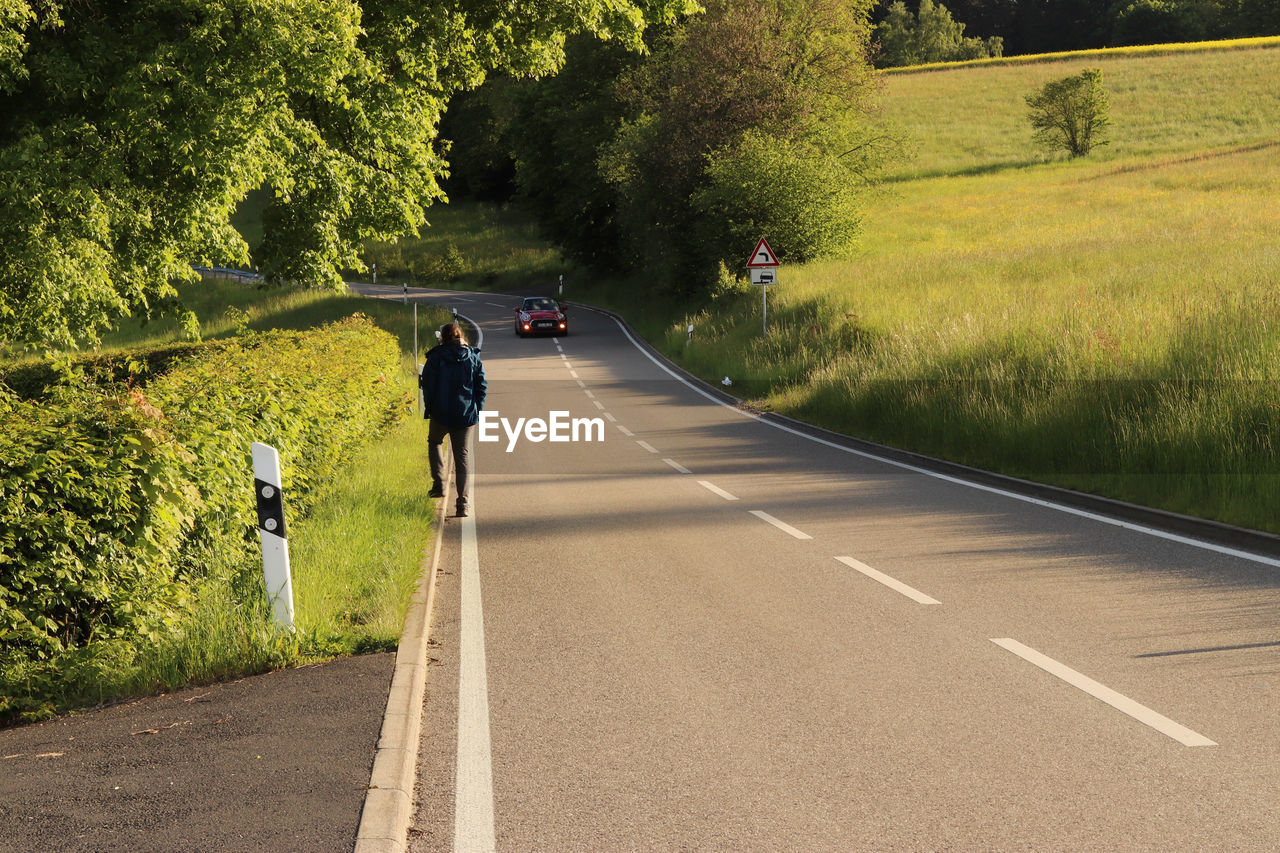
{"type": "Point", "coordinates": [929, 37]}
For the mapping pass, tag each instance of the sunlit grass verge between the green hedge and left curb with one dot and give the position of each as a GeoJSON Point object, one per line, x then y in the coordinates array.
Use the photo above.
{"type": "Point", "coordinates": [355, 562]}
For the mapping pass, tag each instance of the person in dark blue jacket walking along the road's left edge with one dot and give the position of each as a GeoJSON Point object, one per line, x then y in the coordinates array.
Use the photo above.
{"type": "Point", "coordinates": [454, 390]}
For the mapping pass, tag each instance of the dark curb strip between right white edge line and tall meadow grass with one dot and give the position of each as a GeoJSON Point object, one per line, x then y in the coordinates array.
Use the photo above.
{"type": "Point", "coordinates": [1212, 532]}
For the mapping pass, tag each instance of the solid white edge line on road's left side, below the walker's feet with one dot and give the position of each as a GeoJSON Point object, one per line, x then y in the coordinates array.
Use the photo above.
{"type": "Point", "coordinates": [473, 813]}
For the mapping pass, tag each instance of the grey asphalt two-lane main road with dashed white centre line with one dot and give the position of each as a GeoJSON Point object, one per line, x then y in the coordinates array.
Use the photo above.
{"type": "Point", "coordinates": [707, 633]}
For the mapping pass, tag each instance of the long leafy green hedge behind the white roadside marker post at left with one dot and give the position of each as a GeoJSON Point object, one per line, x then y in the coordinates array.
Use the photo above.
{"type": "Point", "coordinates": [118, 504]}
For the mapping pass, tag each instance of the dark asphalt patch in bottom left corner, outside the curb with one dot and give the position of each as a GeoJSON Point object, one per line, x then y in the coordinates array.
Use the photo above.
{"type": "Point", "coordinates": [267, 764]}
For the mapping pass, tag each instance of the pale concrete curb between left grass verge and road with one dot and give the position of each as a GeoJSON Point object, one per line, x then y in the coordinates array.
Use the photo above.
{"type": "Point", "coordinates": [388, 810]}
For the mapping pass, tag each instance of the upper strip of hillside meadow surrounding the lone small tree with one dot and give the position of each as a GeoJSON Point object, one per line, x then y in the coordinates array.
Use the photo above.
{"type": "Point", "coordinates": [973, 118]}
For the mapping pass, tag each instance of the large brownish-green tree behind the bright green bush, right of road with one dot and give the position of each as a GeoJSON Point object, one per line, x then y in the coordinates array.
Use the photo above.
{"type": "Point", "coordinates": [792, 72]}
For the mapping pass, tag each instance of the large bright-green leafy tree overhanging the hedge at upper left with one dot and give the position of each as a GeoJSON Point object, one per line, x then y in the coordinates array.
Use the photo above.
{"type": "Point", "coordinates": [130, 130]}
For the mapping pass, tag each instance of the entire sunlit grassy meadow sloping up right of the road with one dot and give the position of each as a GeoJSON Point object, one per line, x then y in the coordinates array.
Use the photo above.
{"type": "Point", "coordinates": [1108, 325]}
